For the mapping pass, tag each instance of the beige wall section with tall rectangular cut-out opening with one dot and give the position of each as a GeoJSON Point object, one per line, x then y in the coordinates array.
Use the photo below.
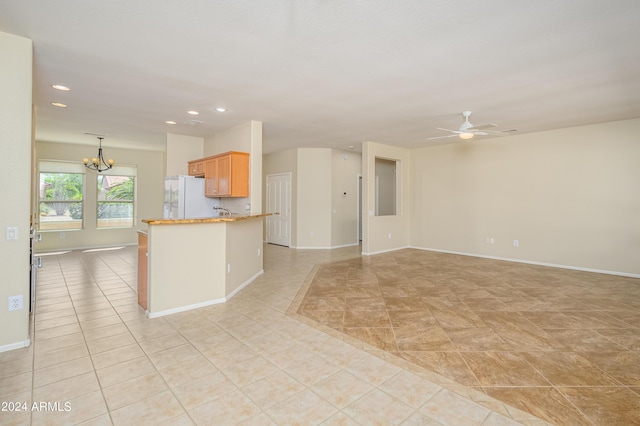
{"type": "Point", "coordinates": [385, 233]}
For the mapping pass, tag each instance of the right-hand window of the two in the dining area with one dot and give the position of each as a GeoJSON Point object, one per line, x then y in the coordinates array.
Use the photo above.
{"type": "Point", "coordinates": [116, 195]}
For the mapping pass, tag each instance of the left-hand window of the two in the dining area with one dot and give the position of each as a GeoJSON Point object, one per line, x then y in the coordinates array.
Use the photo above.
{"type": "Point", "coordinates": [61, 196]}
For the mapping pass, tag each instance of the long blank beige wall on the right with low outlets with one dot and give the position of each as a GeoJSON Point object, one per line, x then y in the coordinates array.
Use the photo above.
{"type": "Point", "coordinates": [570, 197]}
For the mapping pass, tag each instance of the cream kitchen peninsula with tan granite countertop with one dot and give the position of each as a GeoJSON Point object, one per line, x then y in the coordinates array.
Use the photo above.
{"type": "Point", "coordinates": [191, 263]}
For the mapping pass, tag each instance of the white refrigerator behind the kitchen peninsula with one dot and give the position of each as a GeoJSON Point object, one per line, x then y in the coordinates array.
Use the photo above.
{"type": "Point", "coordinates": [184, 198]}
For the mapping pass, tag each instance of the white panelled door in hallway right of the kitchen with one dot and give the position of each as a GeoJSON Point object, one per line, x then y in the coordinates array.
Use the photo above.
{"type": "Point", "coordinates": [279, 201]}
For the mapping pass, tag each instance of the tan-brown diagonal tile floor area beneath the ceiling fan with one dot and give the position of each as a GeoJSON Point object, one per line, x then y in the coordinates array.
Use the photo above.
{"type": "Point", "coordinates": [561, 344]}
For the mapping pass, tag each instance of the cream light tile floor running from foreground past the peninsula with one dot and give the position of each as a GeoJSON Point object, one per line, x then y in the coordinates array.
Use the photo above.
{"type": "Point", "coordinates": [96, 359]}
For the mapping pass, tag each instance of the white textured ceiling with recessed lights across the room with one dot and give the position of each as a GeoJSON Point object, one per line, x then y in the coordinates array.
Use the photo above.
{"type": "Point", "coordinates": [326, 73]}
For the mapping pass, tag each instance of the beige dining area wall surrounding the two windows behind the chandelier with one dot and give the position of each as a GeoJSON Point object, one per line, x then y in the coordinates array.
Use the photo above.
{"type": "Point", "coordinates": [149, 195]}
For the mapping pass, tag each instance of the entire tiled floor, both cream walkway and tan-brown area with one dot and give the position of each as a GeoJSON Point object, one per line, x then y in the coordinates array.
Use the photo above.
{"type": "Point", "coordinates": [477, 329]}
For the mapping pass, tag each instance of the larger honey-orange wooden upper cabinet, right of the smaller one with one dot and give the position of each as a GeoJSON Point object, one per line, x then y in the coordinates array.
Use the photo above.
{"type": "Point", "coordinates": [227, 175]}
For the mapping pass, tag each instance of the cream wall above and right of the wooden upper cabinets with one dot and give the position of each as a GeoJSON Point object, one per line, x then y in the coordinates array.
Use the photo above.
{"type": "Point", "coordinates": [245, 137]}
